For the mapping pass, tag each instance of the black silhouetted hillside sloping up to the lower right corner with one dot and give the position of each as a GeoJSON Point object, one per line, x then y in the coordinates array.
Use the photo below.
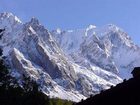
{"type": "Point", "coordinates": [126, 93]}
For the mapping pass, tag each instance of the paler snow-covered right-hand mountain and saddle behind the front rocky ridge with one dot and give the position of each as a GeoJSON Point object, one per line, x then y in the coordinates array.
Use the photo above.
{"type": "Point", "coordinates": [108, 47]}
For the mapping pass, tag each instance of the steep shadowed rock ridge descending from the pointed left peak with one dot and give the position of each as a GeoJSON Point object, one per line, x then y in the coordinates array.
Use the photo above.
{"type": "Point", "coordinates": [43, 52]}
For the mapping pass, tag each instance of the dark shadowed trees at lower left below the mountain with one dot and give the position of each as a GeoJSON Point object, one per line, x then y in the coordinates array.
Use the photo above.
{"type": "Point", "coordinates": [25, 93]}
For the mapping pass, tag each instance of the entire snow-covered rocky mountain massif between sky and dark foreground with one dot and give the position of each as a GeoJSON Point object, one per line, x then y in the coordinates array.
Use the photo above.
{"type": "Point", "coordinates": [70, 64]}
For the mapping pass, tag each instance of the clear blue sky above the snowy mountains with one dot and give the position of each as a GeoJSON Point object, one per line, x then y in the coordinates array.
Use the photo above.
{"type": "Point", "coordinates": [73, 14]}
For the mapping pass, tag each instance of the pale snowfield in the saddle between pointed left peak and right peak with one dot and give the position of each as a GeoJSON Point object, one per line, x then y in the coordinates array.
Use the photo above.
{"type": "Point", "coordinates": [71, 38]}
